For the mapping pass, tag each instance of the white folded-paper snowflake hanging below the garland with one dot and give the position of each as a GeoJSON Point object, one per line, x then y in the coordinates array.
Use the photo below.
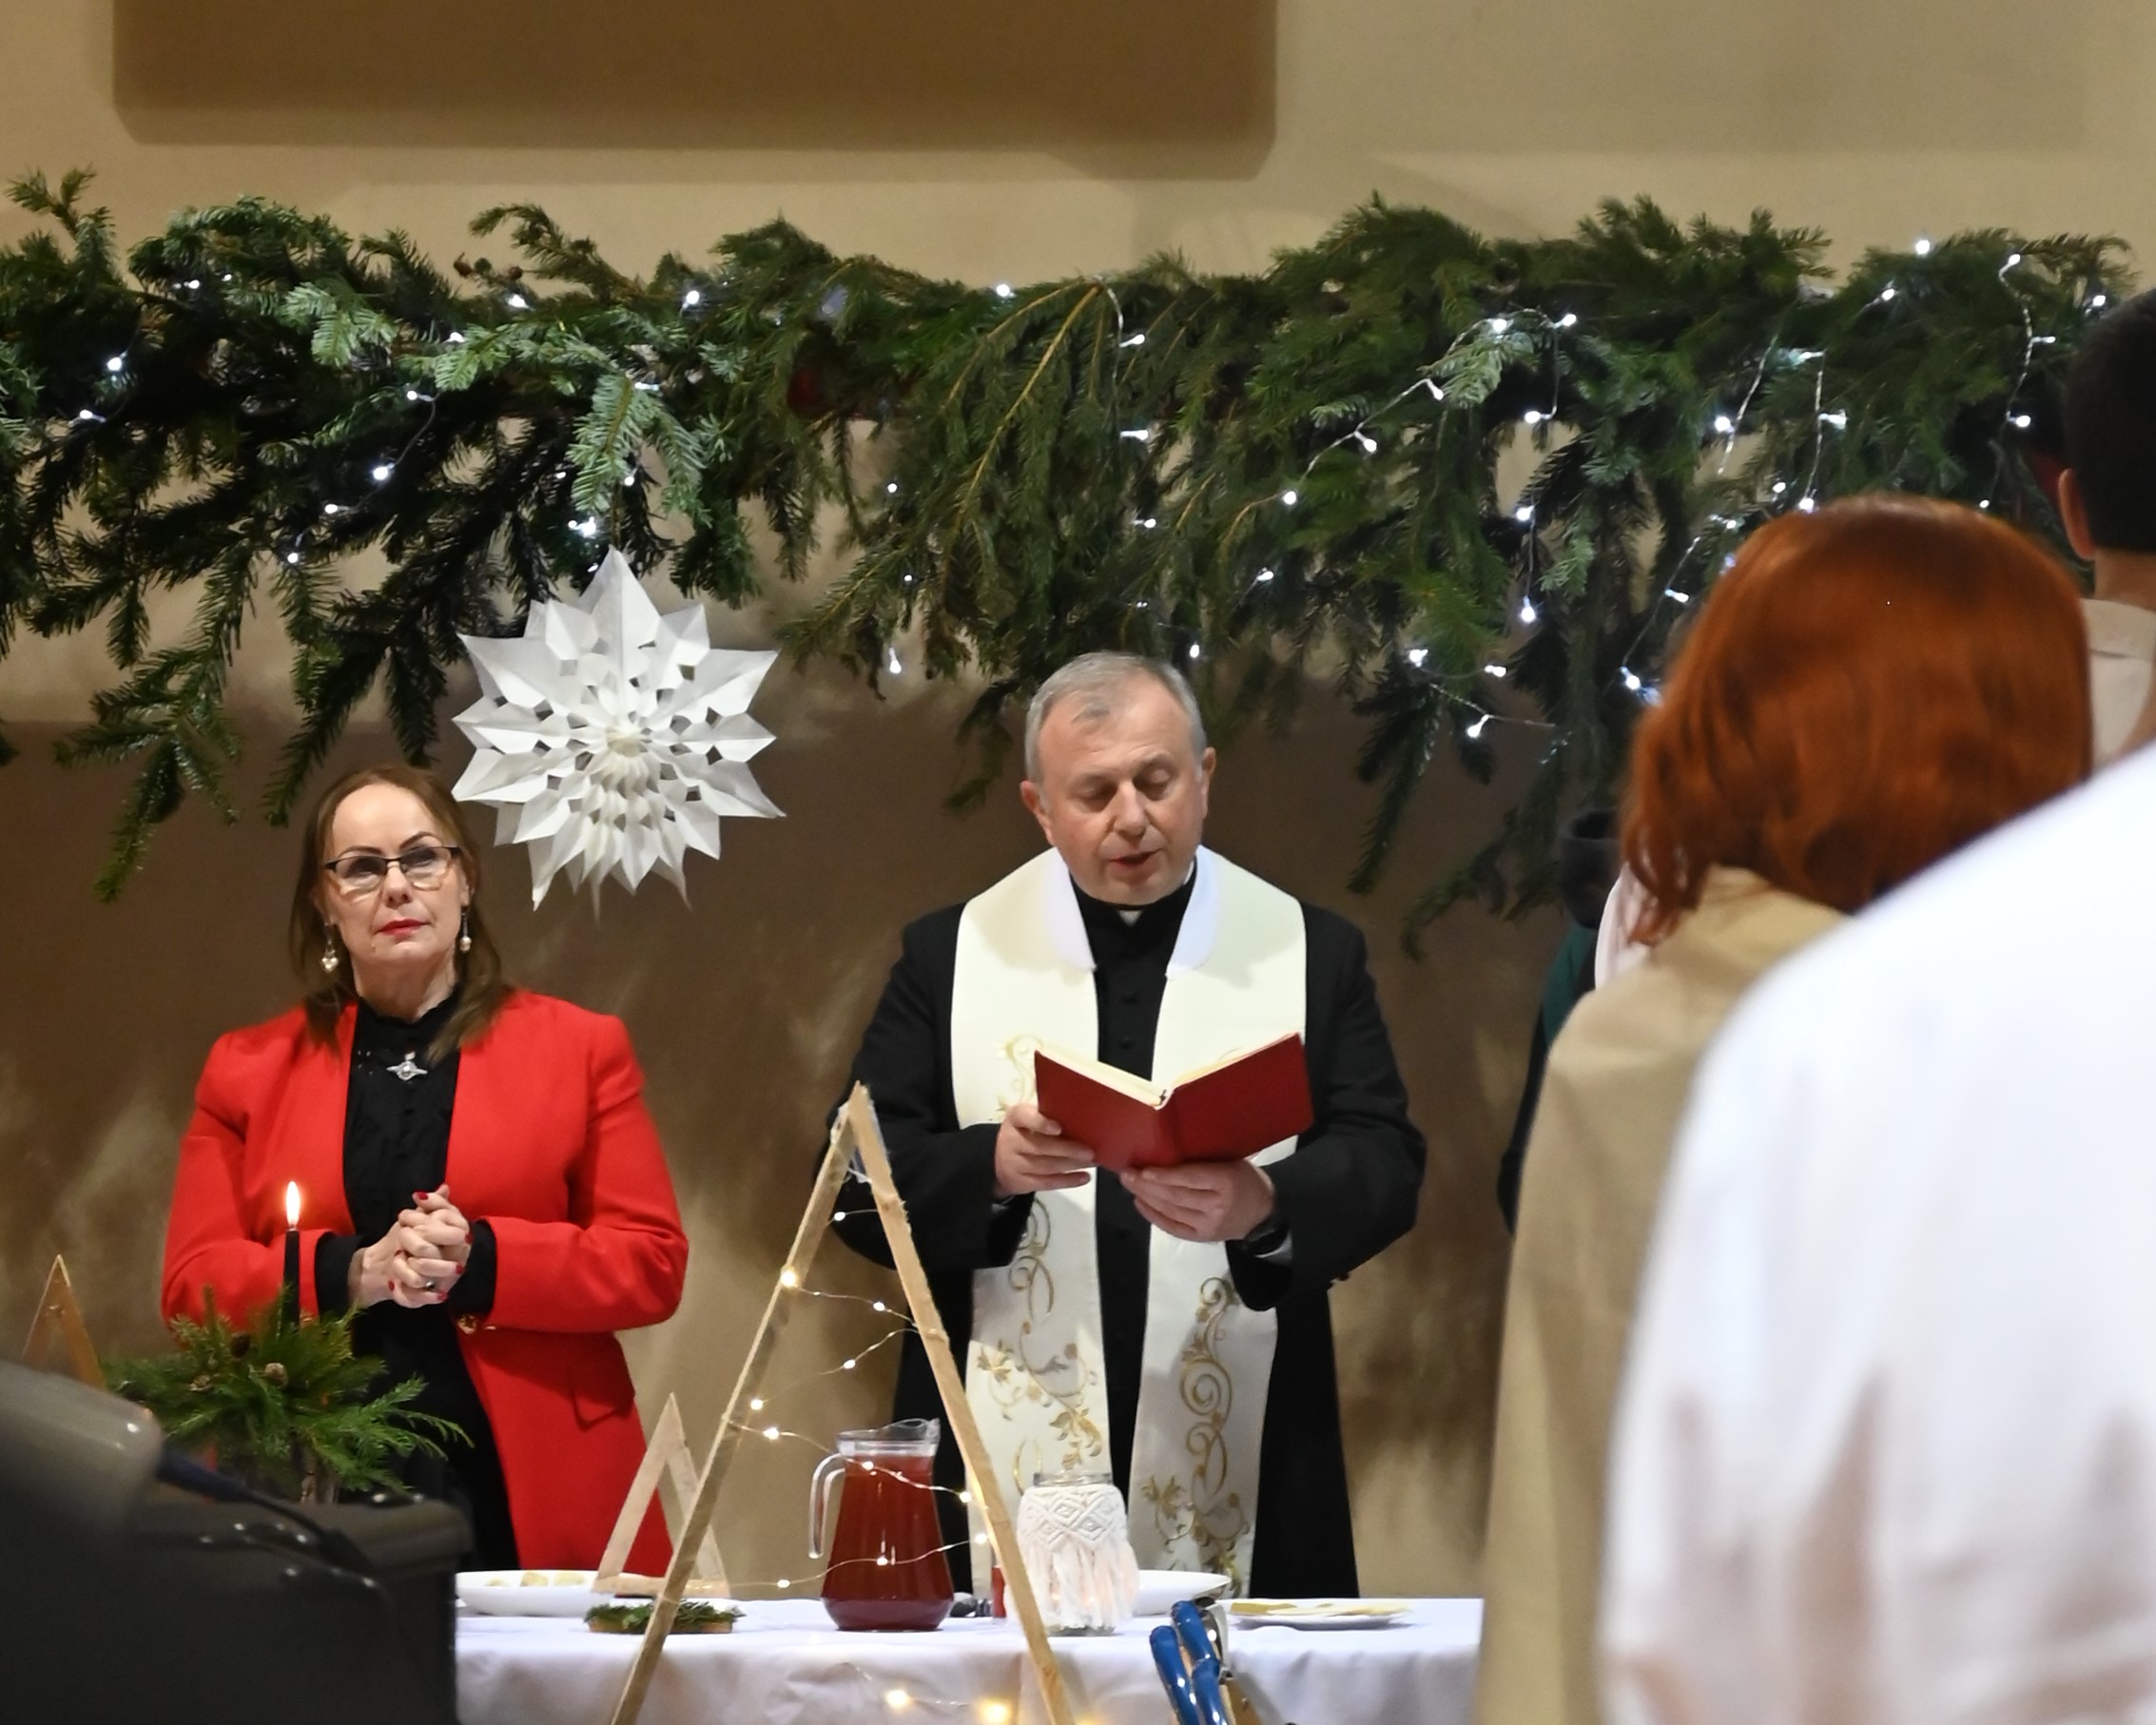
{"type": "Point", "coordinates": [611, 739]}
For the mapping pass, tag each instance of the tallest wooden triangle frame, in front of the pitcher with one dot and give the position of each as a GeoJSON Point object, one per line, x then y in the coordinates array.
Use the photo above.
{"type": "Point", "coordinates": [853, 1133]}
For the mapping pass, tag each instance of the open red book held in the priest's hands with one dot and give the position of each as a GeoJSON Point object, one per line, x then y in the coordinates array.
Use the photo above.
{"type": "Point", "coordinates": [1217, 1114]}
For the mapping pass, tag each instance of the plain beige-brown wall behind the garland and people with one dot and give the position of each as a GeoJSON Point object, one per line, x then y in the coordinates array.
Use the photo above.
{"type": "Point", "coordinates": [980, 141]}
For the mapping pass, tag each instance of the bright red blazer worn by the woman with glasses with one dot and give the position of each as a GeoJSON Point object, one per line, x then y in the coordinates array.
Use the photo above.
{"type": "Point", "coordinates": [551, 1144]}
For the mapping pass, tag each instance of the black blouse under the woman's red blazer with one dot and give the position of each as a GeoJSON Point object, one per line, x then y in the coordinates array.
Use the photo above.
{"type": "Point", "coordinates": [398, 1112]}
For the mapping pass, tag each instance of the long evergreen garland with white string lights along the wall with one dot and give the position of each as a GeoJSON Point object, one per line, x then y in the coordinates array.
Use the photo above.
{"type": "Point", "coordinates": [253, 398]}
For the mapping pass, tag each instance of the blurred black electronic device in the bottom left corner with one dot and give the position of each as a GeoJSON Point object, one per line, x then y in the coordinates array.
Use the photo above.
{"type": "Point", "coordinates": [139, 1586]}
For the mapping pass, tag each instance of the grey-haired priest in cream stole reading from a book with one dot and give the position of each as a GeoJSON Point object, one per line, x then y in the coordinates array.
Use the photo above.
{"type": "Point", "coordinates": [1167, 1327]}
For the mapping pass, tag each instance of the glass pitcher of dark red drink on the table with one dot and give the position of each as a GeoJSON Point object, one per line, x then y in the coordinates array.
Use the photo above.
{"type": "Point", "coordinates": [885, 1558]}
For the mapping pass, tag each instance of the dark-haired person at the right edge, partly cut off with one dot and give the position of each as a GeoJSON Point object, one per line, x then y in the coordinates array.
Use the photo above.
{"type": "Point", "coordinates": [2107, 501]}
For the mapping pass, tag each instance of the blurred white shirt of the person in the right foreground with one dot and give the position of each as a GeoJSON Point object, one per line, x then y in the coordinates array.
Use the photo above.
{"type": "Point", "coordinates": [1888, 1450]}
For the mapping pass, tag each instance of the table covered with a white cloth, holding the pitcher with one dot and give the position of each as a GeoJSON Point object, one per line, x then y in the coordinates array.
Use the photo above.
{"type": "Point", "coordinates": [786, 1666]}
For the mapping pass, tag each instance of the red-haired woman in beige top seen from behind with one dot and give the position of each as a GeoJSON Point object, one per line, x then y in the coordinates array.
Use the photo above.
{"type": "Point", "coordinates": [1866, 691]}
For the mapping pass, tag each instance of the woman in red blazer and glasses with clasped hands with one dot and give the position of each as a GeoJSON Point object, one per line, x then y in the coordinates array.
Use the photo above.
{"type": "Point", "coordinates": [478, 1176]}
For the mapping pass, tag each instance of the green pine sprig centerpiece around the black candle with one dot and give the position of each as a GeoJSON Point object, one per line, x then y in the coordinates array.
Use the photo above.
{"type": "Point", "coordinates": [281, 1405]}
